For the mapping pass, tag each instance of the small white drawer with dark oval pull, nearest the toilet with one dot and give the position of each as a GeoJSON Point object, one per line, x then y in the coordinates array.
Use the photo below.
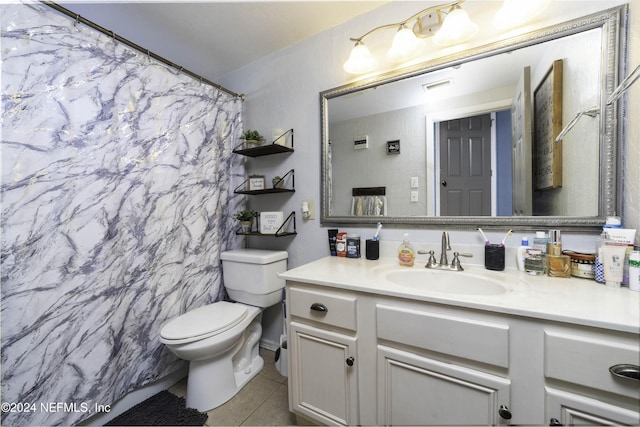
{"type": "Point", "coordinates": [327, 307]}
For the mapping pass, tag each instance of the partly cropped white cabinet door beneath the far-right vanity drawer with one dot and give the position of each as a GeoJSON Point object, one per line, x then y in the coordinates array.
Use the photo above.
{"type": "Point", "coordinates": [572, 409]}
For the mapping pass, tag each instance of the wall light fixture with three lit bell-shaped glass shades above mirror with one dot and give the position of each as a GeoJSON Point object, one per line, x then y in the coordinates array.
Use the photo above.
{"type": "Point", "coordinates": [456, 27]}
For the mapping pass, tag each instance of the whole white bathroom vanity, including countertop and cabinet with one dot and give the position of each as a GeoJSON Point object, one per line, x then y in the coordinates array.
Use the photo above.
{"type": "Point", "coordinates": [372, 343]}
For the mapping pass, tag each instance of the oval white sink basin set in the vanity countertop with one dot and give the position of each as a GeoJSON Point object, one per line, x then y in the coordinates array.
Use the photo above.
{"type": "Point", "coordinates": [449, 282]}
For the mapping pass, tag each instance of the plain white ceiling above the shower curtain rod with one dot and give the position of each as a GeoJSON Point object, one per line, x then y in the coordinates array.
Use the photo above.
{"type": "Point", "coordinates": [212, 38]}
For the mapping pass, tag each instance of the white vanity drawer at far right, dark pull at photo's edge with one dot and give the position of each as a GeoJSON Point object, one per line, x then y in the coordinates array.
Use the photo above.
{"type": "Point", "coordinates": [585, 359]}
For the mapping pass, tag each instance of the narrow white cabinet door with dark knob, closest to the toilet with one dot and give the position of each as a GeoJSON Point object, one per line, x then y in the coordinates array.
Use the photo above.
{"type": "Point", "coordinates": [323, 384]}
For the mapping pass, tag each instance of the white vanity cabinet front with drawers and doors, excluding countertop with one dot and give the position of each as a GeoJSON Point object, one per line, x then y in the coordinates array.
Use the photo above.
{"type": "Point", "coordinates": [375, 358]}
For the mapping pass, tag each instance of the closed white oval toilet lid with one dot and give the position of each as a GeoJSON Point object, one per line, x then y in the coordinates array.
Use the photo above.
{"type": "Point", "coordinates": [207, 320]}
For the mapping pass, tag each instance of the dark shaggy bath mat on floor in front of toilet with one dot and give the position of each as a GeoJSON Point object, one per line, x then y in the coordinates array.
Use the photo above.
{"type": "Point", "coordinates": [162, 409]}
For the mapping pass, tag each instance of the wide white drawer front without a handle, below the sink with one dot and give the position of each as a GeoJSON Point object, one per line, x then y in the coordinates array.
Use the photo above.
{"type": "Point", "coordinates": [473, 339]}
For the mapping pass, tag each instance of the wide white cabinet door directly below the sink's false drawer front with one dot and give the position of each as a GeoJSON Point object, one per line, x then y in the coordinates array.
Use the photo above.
{"type": "Point", "coordinates": [414, 390]}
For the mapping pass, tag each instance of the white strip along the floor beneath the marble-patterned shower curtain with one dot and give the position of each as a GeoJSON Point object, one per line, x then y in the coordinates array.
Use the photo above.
{"type": "Point", "coordinates": [137, 396]}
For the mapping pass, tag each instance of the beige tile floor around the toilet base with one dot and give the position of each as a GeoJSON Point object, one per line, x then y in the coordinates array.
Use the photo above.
{"type": "Point", "coordinates": [262, 402]}
